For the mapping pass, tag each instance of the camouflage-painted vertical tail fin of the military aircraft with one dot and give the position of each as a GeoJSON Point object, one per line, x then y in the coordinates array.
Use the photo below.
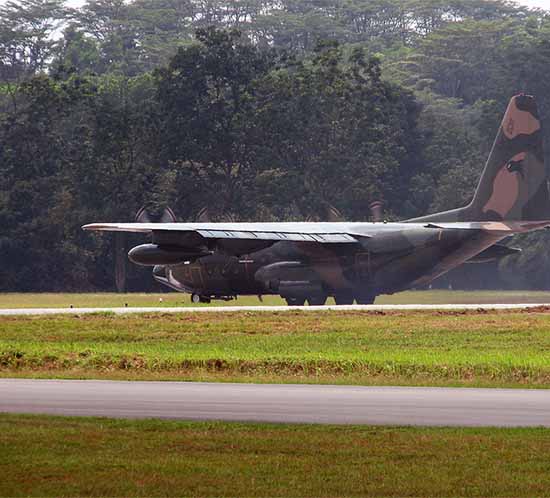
{"type": "Point", "coordinates": [514, 183]}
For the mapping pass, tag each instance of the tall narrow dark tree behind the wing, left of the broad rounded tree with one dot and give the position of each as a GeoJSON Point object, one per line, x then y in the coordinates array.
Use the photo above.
{"type": "Point", "coordinates": [204, 97]}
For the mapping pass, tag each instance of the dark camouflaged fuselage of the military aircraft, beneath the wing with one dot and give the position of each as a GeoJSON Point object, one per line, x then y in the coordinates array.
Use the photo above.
{"type": "Point", "coordinates": [299, 271]}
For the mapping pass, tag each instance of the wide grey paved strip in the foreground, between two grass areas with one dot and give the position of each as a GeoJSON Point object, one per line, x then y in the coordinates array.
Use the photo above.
{"type": "Point", "coordinates": [279, 402]}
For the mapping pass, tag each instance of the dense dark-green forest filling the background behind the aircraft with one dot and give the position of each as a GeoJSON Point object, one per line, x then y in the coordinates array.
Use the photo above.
{"type": "Point", "coordinates": [252, 110]}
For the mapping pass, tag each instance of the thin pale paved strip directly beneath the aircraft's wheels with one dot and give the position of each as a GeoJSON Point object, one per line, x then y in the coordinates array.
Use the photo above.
{"type": "Point", "coordinates": [213, 309]}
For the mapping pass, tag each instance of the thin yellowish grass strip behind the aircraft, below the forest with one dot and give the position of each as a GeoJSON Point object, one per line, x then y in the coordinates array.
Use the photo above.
{"type": "Point", "coordinates": [92, 300]}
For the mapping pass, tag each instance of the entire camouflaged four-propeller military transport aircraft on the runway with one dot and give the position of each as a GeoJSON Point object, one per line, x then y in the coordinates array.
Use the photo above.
{"type": "Point", "coordinates": [310, 261]}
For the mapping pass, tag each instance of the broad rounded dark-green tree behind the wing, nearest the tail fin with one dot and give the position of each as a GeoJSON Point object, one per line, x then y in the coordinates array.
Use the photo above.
{"type": "Point", "coordinates": [335, 133]}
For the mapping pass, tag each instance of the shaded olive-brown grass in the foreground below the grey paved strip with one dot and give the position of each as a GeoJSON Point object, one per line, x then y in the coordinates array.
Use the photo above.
{"type": "Point", "coordinates": [56, 456]}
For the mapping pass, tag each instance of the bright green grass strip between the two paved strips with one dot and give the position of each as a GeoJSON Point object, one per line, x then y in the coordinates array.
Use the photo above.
{"type": "Point", "coordinates": [418, 348]}
